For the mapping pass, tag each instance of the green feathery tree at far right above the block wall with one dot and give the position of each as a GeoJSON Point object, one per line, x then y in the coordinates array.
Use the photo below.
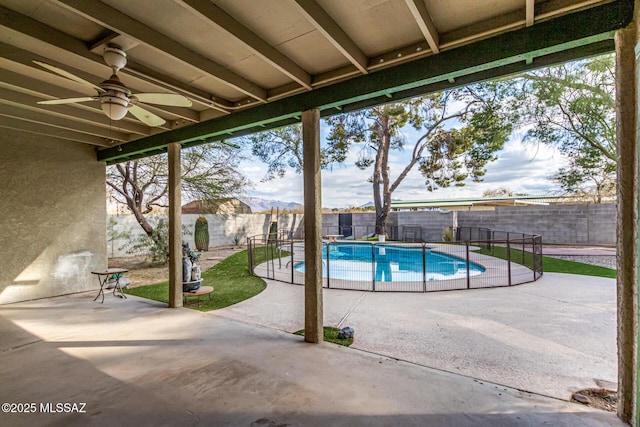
{"type": "Point", "coordinates": [572, 107]}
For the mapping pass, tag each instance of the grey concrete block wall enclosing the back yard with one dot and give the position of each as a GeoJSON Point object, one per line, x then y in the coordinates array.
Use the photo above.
{"type": "Point", "coordinates": [562, 224]}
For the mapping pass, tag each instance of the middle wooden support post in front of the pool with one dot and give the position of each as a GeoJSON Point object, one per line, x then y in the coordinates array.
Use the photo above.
{"type": "Point", "coordinates": [313, 321]}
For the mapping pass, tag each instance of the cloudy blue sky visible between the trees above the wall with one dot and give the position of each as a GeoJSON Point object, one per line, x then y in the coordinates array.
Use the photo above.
{"type": "Point", "coordinates": [521, 167]}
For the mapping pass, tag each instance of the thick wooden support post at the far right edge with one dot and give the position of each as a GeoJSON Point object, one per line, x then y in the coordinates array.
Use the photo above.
{"type": "Point", "coordinates": [627, 100]}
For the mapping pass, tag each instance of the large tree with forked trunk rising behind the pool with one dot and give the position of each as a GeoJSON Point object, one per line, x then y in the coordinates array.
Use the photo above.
{"type": "Point", "coordinates": [459, 132]}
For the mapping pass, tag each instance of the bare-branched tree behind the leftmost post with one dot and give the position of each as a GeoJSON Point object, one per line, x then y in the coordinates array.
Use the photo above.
{"type": "Point", "coordinates": [209, 172]}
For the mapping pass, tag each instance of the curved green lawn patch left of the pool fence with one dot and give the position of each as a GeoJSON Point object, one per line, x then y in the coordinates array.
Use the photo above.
{"type": "Point", "coordinates": [230, 279]}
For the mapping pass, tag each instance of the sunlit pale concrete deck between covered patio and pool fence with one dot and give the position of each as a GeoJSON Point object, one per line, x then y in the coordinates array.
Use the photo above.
{"type": "Point", "coordinates": [551, 337]}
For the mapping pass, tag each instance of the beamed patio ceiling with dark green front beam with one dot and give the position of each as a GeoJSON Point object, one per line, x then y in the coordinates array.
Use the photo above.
{"type": "Point", "coordinates": [251, 64]}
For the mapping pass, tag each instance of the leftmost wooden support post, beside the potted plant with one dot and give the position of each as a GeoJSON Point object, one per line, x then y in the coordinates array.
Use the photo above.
{"type": "Point", "coordinates": [175, 227]}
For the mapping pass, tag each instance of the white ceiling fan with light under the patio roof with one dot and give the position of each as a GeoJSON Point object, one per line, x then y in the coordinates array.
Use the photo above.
{"type": "Point", "coordinates": [116, 99]}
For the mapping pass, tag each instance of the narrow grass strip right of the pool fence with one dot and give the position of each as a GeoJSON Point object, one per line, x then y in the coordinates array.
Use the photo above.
{"type": "Point", "coordinates": [550, 264]}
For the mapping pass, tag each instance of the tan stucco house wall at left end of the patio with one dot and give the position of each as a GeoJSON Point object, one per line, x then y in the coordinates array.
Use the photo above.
{"type": "Point", "coordinates": [52, 217]}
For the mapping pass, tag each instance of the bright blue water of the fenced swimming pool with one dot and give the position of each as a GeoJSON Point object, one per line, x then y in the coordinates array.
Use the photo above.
{"type": "Point", "coordinates": [353, 261]}
